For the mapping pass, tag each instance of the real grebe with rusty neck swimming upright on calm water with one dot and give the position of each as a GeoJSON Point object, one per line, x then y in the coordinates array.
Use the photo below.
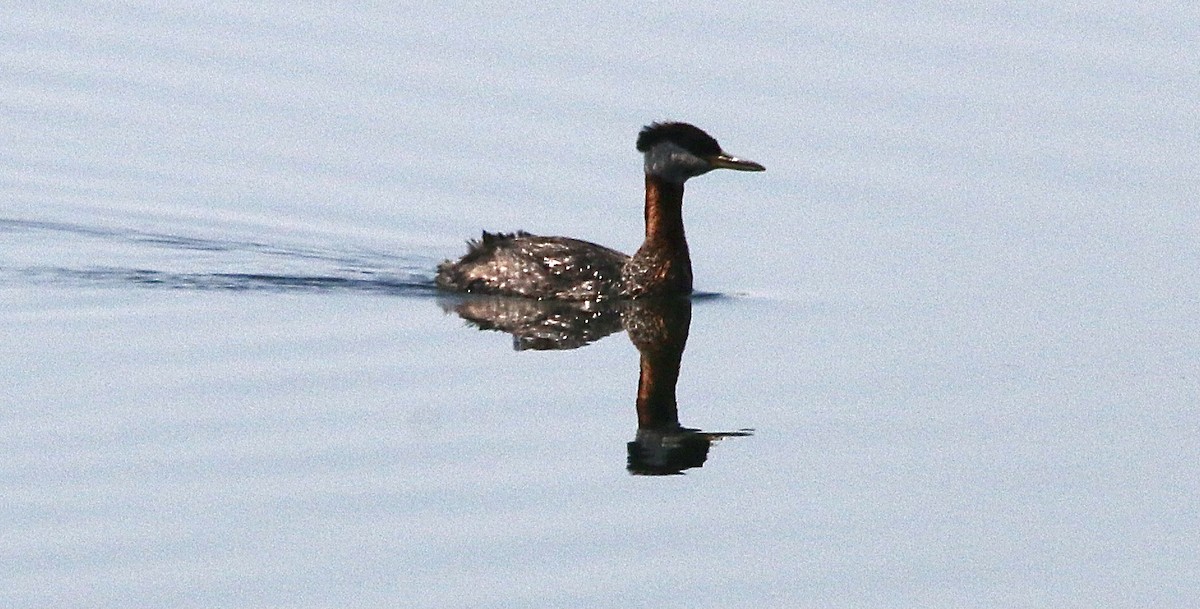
{"type": "Point", "coordinates": [520, 264]}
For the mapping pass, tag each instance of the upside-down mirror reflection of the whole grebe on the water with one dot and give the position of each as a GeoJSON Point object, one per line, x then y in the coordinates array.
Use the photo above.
{"type": "Point", "coordinates": [658, 328]}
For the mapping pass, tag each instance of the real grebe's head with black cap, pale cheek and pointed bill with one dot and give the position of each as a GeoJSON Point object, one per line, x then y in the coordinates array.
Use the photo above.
{"type": "Point", "coordinates": [676, 152]}
